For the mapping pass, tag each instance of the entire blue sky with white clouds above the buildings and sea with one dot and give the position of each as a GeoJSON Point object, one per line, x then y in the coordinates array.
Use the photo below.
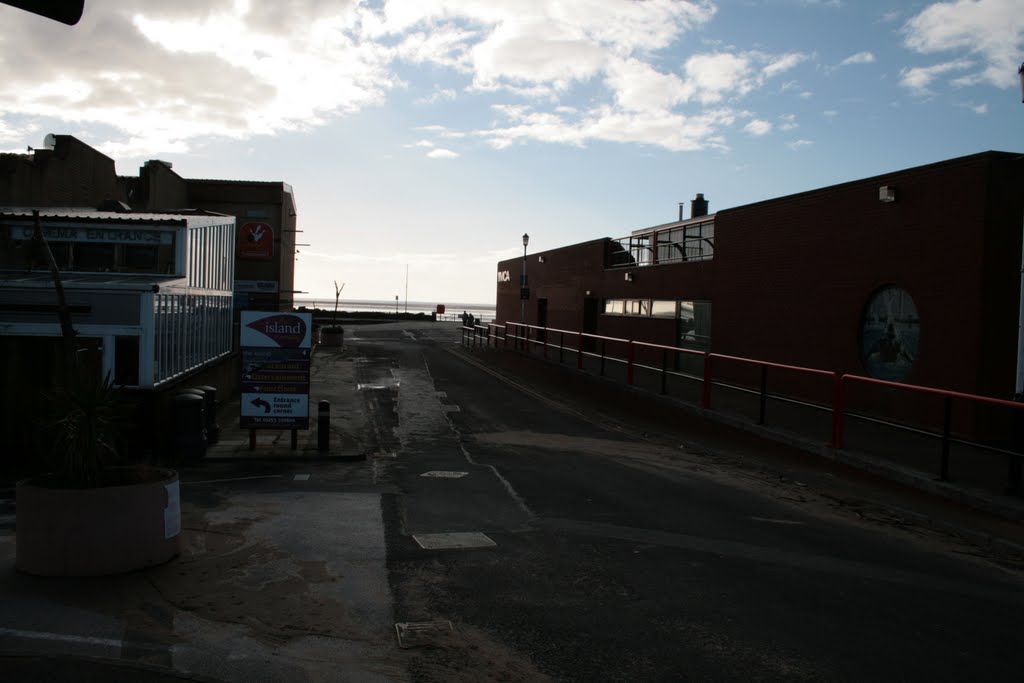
{"type": "Point", "coordinates": [426, 137]}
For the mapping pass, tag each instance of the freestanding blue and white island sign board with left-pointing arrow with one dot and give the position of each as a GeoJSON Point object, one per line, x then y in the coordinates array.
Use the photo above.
{"type": "Point", "coordinates": [276, 350]}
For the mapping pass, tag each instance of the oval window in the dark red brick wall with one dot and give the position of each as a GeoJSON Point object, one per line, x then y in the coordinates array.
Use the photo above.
{"type": "Point", "coordinates": [890, 334]}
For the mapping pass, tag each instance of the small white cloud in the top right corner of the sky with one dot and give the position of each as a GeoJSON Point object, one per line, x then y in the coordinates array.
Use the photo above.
{"type": "Point", "coordinates": [984, 34]}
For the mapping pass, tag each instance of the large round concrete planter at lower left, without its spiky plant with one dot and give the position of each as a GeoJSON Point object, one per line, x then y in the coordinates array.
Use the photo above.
{"type": "Point", "coordinates": [103, 531]}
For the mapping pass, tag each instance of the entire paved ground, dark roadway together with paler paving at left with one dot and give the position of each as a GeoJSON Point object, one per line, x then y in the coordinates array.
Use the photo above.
{"type": "Point", "coordinates": [525, 528]}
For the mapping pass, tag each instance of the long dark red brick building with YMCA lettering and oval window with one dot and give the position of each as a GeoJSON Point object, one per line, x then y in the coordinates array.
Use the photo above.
{"type": "Point", "coordinates": [913, 276]}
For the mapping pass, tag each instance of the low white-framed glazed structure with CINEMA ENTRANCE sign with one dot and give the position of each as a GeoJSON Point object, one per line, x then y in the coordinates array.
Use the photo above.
{"type": "Point", "coordinates": [150, 292]}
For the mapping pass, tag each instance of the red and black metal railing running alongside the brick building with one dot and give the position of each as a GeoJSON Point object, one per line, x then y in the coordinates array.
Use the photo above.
{"type": "Point", "coordinates": [601, 351]}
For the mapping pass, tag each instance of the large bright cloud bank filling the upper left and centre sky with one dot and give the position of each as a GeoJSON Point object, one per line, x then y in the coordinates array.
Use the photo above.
{"type": "Point", "coordinates": [165, 77]}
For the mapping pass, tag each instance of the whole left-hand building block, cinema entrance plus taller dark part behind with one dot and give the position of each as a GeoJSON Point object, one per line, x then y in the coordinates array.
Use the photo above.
{"type": "Point", "coordinates": [156, 269]}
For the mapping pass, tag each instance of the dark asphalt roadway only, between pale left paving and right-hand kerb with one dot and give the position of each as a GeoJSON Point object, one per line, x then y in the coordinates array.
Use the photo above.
{"type": "Point", "coordinates": [610, 566]}
